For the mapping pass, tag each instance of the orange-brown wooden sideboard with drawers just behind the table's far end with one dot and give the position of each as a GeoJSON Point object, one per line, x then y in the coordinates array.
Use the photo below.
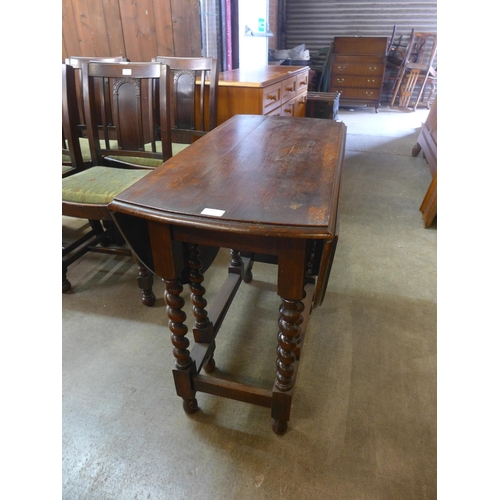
{"type": "Point", "coordinates": [270, 90]}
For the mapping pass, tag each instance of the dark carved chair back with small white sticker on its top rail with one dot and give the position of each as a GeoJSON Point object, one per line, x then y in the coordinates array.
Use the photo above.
{"type": "Point", "coordinates": [139, 122]}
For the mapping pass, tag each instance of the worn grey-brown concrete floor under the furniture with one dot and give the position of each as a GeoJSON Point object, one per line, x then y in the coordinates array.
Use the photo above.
{"type": "Point", "coordinates": [363, 420]}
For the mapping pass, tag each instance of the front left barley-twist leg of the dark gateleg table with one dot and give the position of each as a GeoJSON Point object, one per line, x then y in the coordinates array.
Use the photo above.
{"type": "Point", "coordinates": [184, 365]}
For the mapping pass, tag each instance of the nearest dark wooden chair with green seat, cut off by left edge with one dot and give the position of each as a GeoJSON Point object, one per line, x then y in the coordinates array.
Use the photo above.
{"type": "Point", "coordinates": [87, 193]}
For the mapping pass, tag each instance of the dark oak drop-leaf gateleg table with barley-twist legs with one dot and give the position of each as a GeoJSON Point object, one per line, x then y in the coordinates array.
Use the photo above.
{"type": "Point", "coordinates": [268, 188]}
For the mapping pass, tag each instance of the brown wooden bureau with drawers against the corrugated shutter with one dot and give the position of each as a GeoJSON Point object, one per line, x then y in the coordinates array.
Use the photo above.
{"type": "Point", "coordinates": [357, 70]}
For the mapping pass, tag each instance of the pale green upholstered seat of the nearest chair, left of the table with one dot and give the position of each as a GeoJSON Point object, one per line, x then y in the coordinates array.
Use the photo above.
{"type": "Point", "coordinates": [99, 185]}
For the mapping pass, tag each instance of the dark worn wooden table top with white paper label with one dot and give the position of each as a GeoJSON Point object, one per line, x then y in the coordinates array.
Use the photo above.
{"type": "Point", "coordinates": [253, 174]}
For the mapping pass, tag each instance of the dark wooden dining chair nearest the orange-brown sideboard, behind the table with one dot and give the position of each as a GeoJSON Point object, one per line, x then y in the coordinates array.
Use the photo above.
{"type": "Point", "coordinates": [194, 87]}
